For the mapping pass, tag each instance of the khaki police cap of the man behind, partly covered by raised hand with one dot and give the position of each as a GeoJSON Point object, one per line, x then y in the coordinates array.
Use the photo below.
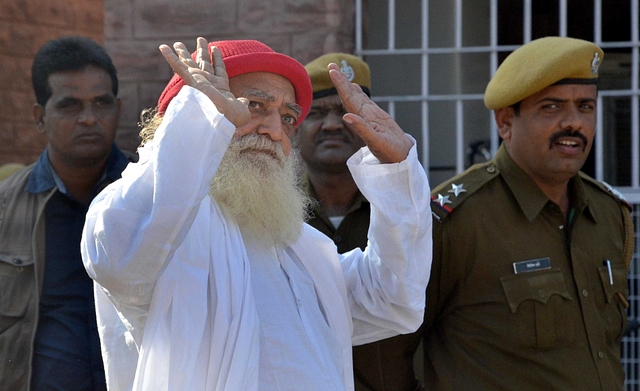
{"type": "Point", "coordinates": [356, 70]}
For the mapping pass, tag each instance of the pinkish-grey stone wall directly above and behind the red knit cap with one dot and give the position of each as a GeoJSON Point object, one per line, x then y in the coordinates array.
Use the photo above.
{"type": "Point", "coordinates": [303, 29]}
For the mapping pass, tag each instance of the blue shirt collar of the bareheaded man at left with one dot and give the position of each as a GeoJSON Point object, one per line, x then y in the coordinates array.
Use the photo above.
{"type": "Point", "coordinates": [44, 178]}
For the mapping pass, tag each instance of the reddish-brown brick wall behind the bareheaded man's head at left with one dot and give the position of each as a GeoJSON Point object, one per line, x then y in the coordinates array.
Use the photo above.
{"type": "Point", "coordinates": [25, 25]}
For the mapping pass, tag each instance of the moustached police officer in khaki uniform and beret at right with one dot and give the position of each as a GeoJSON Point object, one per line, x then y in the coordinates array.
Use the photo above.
{"type": "Point", "coordinates": [528, 289]}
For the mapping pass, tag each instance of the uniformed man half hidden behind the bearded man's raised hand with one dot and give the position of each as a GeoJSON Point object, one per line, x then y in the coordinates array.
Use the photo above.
{"type": "Point", "coordinates": [342, 213]}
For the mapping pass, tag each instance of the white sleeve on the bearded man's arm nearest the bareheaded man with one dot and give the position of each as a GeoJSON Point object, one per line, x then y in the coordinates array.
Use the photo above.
{"type": "Point", "coordinates": [134, 226]}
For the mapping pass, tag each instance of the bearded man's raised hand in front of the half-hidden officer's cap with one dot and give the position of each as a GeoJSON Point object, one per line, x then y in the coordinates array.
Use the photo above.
{"type": "Point", "coordinates": [379, 131]}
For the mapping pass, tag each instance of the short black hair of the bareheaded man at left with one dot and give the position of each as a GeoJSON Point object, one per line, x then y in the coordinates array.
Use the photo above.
{"type": "Point", "coordinates": [68, 54]}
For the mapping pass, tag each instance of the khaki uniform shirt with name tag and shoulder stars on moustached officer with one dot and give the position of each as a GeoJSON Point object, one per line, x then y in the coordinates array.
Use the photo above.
{"type": "Point", "coordinates": [557, 325]}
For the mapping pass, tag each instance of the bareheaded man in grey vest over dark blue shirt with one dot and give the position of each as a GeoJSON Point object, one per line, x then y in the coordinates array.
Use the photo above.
{"type": "Point", "coordinates": [48, 334]}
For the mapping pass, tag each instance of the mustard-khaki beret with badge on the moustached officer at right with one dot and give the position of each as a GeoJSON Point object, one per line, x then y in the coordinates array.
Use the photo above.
{"type": "Point", "coordinates": [542, 63]}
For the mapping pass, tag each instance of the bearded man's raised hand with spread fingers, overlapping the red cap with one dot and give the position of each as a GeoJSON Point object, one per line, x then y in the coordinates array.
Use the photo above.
{"type": "Point", "coordinates": [210, 79]}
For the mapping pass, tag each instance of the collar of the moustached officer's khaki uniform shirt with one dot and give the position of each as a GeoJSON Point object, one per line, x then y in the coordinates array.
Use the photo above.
{"type": "Point", "coordinates": [529, 196]}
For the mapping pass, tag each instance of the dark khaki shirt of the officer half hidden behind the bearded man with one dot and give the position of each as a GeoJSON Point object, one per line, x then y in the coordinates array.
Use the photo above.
{"type": "Point", "coordinates": [382, 365]}
